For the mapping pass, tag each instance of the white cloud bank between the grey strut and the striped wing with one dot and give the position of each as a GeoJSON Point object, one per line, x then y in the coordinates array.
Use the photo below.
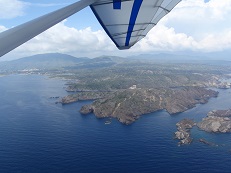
{"type": "Point", "coordinates": [63, 39]}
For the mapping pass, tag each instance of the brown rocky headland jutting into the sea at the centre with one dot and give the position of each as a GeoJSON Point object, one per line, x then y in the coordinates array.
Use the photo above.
{"type": "Point", "coordinates": [128, 105]}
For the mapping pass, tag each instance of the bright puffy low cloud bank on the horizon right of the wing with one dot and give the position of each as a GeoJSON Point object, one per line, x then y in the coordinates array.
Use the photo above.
{"type": "Point", "coordinates": [162, 38]}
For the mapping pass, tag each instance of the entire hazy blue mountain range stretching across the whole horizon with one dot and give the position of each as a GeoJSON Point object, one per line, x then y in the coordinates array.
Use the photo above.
{"type": "Point", "coordinates": [57, 61]}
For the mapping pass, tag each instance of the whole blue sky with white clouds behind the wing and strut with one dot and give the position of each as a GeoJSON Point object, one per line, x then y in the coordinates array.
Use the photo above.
{"type": "Point", "coordinates": [193, 25]}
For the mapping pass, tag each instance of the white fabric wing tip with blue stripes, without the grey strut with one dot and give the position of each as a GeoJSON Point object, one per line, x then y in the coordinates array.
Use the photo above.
{"type": "Point", "coordinates": [128, 21]}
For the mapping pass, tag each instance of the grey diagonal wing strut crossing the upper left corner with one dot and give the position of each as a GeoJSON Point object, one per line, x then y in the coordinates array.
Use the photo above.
{"type": "Point", "coordinates": [18, 35]}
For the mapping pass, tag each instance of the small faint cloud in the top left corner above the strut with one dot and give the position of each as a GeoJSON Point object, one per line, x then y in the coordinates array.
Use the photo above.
{"type": "Point", "coordinates": [11, 9]}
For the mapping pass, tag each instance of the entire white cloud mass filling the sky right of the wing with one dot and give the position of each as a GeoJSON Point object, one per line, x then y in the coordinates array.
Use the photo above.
{"type": "Point", "coordinates": [193, 25]}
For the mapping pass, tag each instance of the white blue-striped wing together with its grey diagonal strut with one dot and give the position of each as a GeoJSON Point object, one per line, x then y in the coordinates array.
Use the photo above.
{"type": "Point", "coordinates": [125, 21]}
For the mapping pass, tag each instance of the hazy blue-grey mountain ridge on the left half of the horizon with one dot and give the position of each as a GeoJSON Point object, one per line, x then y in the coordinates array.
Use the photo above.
{"type": "Point", "coordinates": [54, 61]}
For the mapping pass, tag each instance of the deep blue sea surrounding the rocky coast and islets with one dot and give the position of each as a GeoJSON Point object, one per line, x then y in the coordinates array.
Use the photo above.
{"type": "Point", "coordinates": [36, 135]}
